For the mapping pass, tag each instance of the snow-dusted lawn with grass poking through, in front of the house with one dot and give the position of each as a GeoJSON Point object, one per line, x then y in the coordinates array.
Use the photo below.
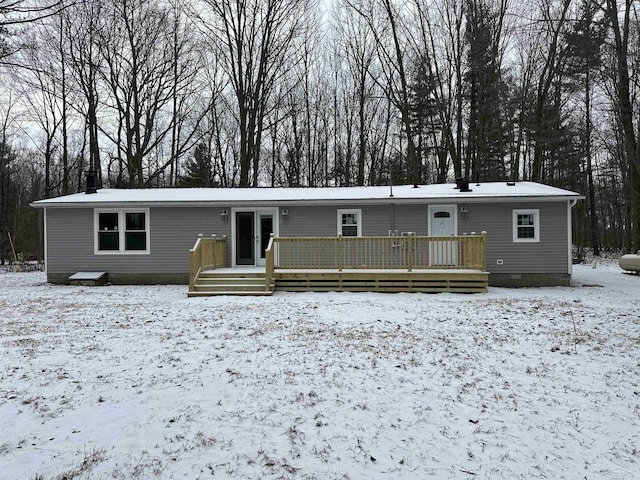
{"type": "Point", "coordinates": [141, 382]}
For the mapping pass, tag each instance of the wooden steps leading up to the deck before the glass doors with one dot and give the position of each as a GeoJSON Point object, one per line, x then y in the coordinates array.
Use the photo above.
{"type": "Point", "coordinates": [212, 282]}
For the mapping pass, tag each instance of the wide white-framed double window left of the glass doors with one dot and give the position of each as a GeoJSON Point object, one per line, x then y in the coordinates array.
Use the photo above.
{"type": "Point", "coordinates": [121, 231]}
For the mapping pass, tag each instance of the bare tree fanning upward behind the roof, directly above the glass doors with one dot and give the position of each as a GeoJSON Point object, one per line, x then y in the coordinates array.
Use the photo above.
{"type": "Point", "coordinates": [256, 46]}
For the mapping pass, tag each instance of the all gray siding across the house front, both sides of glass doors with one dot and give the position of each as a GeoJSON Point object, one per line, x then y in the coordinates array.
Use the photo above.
{"type": "Point", "coordinates": [174, 230]}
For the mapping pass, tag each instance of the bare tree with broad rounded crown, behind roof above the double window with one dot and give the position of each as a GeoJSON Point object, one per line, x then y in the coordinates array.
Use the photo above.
{"type": "Point", "coordinates": [149, 75]}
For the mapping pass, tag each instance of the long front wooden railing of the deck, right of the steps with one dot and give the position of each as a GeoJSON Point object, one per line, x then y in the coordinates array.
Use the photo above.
{"type": "Point", "coordinates": [408, 253]}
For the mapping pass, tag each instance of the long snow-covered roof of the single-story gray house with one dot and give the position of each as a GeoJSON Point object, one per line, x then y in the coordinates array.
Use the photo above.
{"type": "Point", "coordinates": [485, 192]}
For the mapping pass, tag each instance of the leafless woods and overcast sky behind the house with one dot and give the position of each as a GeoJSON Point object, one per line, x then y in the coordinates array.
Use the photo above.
{"type": "Point", "coordinates": [259, 93]}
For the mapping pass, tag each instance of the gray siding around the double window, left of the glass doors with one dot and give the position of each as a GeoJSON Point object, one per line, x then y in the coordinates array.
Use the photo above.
{"type": "Point", "coordinates": [173, 231]}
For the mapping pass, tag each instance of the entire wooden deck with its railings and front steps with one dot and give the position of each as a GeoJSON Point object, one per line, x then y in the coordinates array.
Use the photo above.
{"type": "Point", "coordinates": [431, 265]}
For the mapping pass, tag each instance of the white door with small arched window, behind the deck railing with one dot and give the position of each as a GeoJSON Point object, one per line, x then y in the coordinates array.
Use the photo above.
{"type": "Point", "coordinates": [443, 223]}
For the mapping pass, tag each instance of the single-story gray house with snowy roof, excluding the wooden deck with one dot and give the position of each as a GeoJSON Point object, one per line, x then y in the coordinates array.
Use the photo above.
{"type": "Point", "coordinates": [145, 236]}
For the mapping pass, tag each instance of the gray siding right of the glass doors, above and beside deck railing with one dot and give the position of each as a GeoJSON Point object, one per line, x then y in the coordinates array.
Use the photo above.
{"type": "Point", "coordinates": [550, 255]}
